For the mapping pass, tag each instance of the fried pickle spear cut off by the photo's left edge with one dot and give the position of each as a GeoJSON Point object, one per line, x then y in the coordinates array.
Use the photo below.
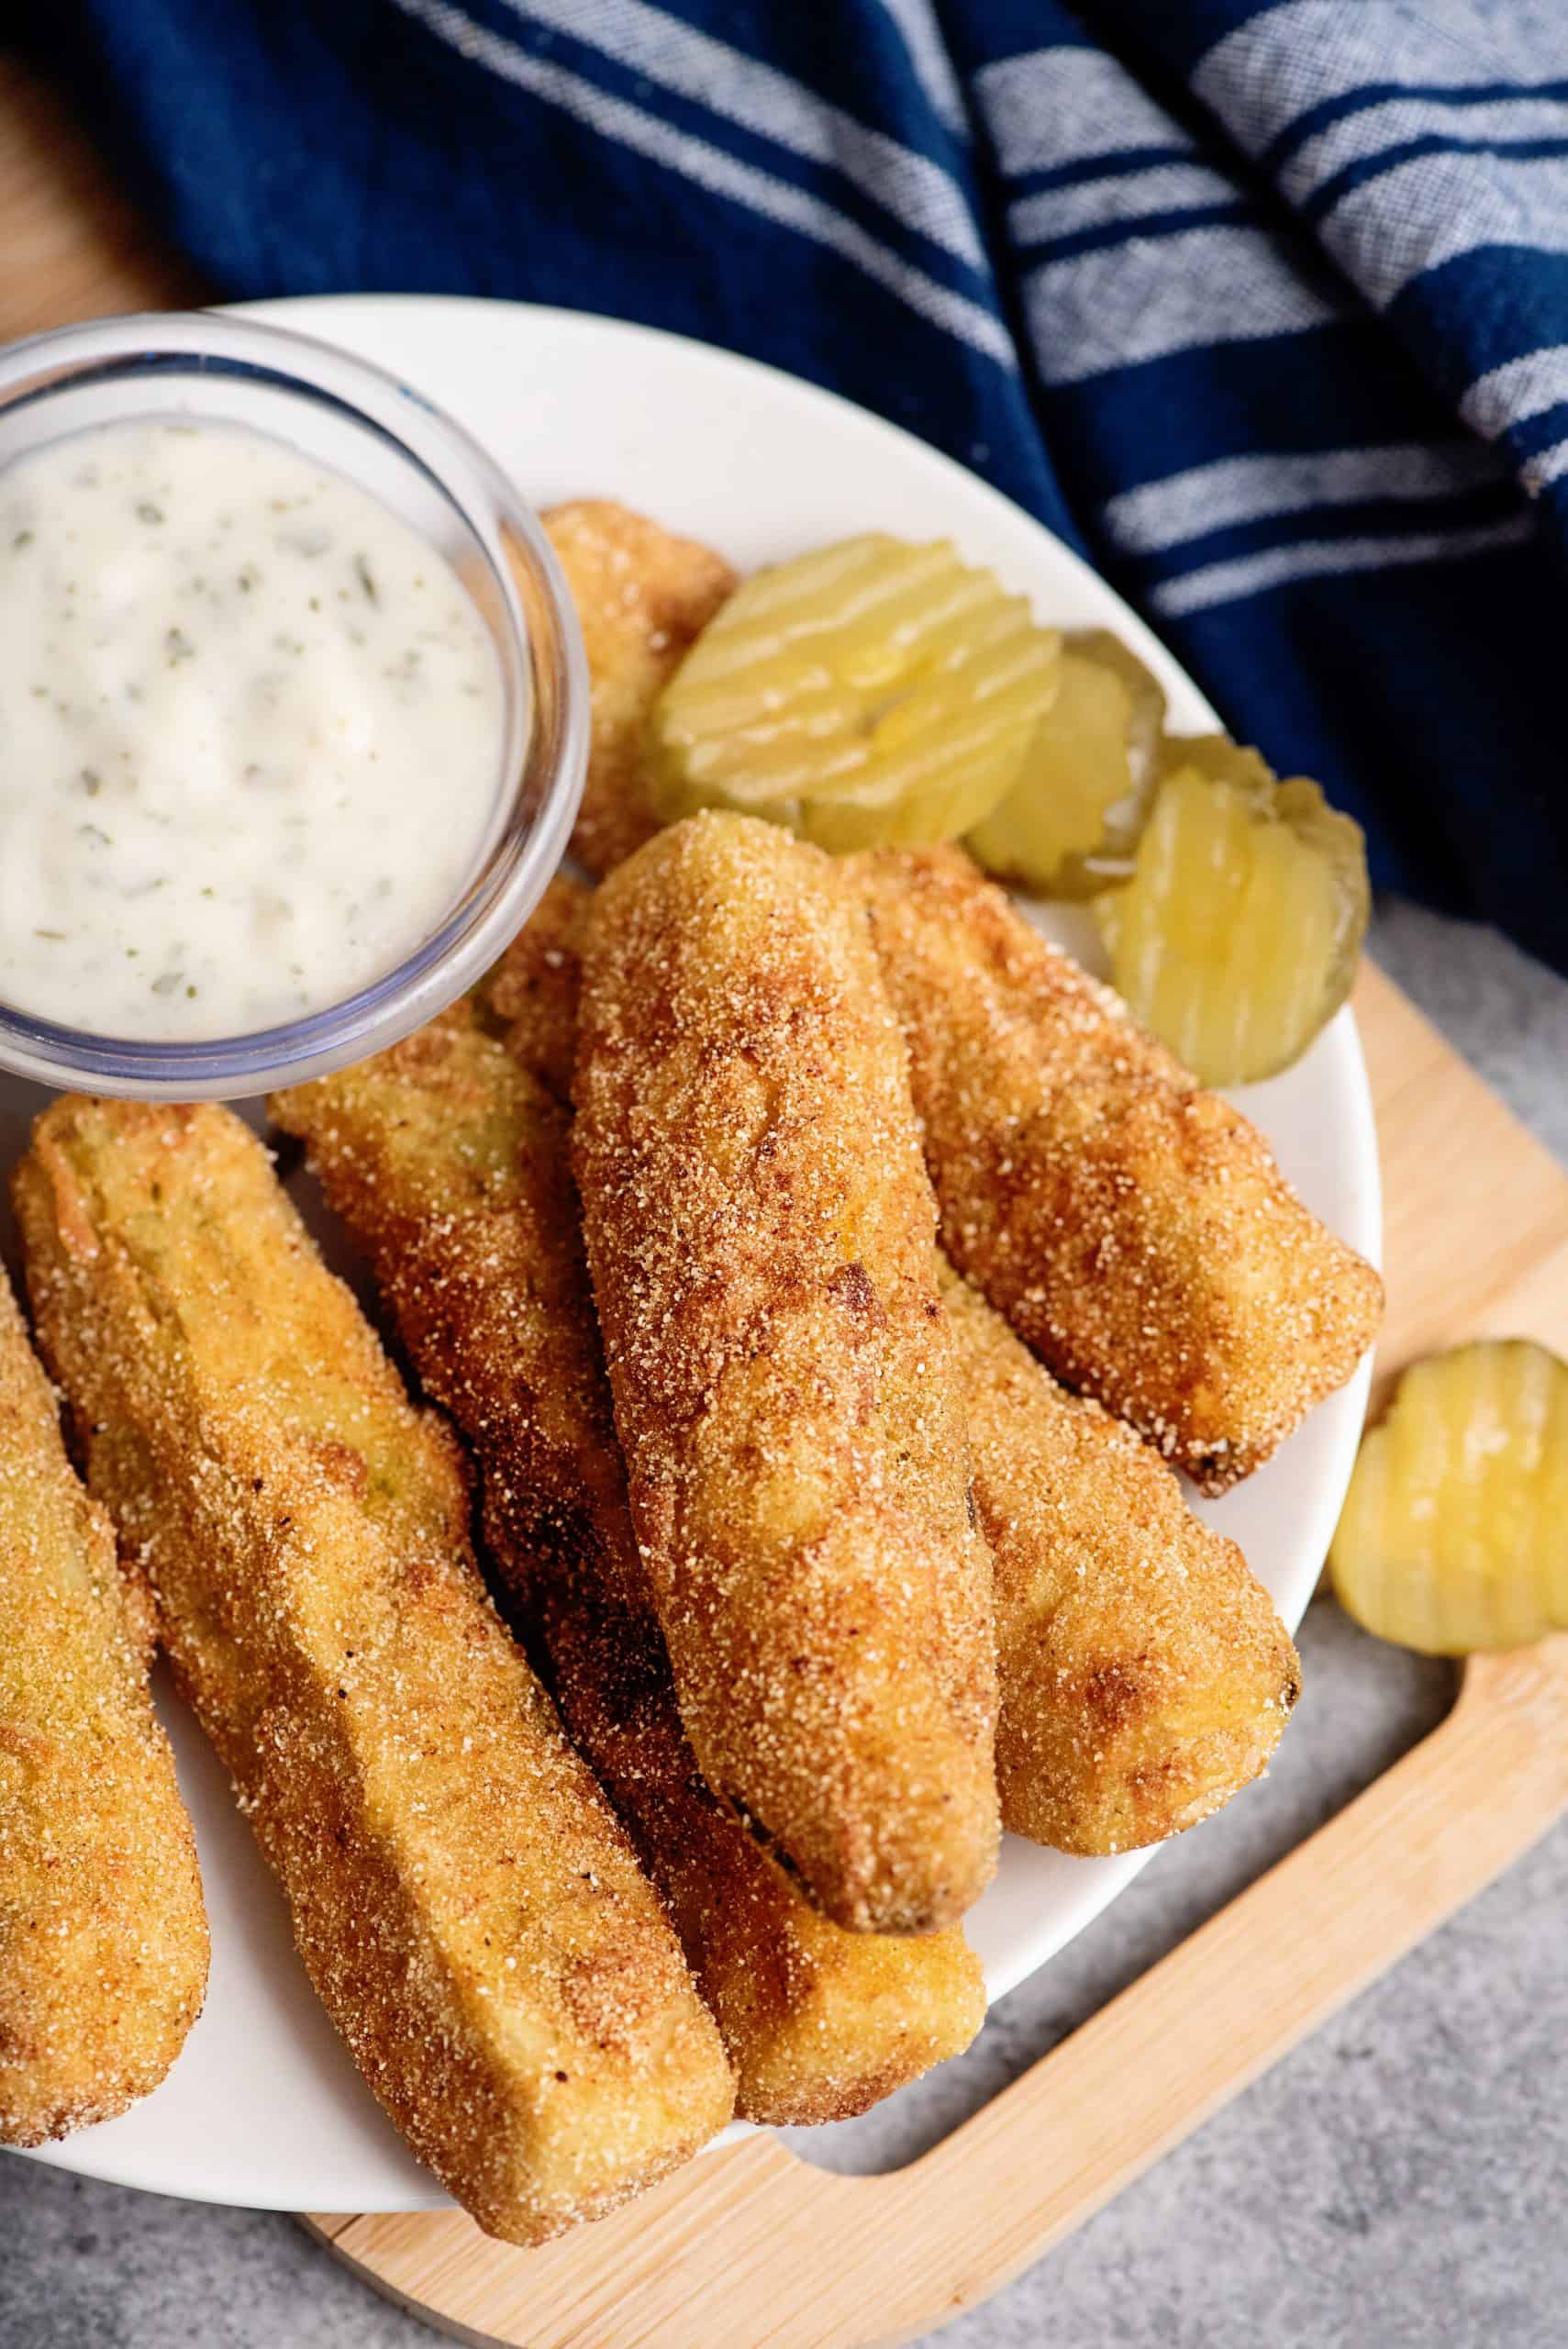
{"type": "Point", "coordinates": [102, 1923]}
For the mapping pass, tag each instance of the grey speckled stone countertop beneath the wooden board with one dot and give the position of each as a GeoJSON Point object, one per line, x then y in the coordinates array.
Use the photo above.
{"type": "Point", "coordinates": [1400, 2181]}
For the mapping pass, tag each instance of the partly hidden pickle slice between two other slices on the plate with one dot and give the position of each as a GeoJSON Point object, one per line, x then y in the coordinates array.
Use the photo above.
{"type": "Point", "coordinates": [1074, 816]}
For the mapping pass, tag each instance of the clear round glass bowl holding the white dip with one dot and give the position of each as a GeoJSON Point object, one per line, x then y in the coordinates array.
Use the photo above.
{"type": "Point", "coordinates": [391, 443]}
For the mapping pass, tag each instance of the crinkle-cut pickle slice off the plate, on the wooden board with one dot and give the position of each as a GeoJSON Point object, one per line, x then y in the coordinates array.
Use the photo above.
{"type": "Point", "coordinates": [1454, 1533]}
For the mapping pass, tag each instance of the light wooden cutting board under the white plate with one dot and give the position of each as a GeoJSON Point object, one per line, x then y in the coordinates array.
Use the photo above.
{"type": "Point", "coordinates": [750, 2247]}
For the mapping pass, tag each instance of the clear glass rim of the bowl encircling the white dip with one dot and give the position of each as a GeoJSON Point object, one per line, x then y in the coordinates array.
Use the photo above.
{"type": "Point", "coordinates": [543, 645]}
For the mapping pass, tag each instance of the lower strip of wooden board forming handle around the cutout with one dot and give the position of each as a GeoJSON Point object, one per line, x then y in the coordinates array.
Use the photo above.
{"type": "Point", "coordinates": [755, 2249]}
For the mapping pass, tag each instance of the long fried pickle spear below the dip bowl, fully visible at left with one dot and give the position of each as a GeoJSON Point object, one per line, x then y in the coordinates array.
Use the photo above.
{"type": "Point", "coordinates": [464, 1899]}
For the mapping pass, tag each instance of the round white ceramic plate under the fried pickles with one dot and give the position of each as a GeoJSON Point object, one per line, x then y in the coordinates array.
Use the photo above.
{"type": "Point", "coordinates": [264, 2108]}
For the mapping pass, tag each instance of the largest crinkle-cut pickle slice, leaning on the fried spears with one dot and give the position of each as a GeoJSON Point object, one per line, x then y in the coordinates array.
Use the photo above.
{"type": "Point", "coordinates": [870, 694]}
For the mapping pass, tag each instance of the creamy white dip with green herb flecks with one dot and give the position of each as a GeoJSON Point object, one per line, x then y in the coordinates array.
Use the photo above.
{"type": "Point", "coordinates": [250, 734]}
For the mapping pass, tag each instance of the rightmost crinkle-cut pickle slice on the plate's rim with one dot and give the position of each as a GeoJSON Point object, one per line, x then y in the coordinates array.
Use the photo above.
{"type": "Point", "coordinates": [1238, 936]}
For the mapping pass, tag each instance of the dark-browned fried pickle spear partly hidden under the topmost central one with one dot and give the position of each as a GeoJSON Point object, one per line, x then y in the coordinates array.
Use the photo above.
{"type": "Point", "coordinates": [452, 1166]}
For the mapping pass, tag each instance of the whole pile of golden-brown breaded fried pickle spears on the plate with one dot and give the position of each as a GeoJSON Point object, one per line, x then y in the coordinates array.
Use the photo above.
{"type": "Point", "coordinates": [818, 1281]}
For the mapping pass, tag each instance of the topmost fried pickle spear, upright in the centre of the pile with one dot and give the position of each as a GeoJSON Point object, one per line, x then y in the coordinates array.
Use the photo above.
{"type": "Point", "coordinates": [759, 1230]}
